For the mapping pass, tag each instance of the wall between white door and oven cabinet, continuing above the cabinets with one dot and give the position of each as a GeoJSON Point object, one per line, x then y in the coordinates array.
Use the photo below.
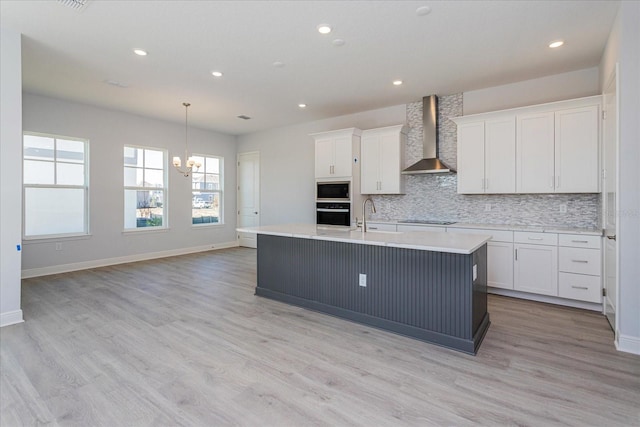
{"type": "Point", "coordinates": [287, 192]}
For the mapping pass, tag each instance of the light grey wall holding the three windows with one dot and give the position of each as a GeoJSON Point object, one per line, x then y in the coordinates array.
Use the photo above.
{"type": "Point", "coordinates": [108, 131]}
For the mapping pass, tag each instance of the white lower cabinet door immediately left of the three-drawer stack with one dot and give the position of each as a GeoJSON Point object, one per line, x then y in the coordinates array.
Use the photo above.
{"type": "Point", "coordinates": [536, 269]}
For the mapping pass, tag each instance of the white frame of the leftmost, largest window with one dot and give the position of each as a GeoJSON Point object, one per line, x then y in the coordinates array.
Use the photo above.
{"type": "Point", "coordinates": [85, 187]}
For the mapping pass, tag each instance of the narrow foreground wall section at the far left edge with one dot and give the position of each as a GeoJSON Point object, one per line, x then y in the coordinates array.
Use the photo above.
{"type": "Point", "coordinates": [10, 175]}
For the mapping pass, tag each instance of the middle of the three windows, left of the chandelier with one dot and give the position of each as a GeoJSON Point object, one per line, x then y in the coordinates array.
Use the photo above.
{"type": "Point", "coordinates": [144, 188]}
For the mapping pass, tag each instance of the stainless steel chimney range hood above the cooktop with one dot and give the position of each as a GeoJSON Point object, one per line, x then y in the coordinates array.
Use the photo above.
{"type": "Point", "coordinates": [430, 162]}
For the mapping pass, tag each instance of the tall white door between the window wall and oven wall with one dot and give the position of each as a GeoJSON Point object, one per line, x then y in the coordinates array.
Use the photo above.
{"type": "Point", "coordinates": [248, 196]}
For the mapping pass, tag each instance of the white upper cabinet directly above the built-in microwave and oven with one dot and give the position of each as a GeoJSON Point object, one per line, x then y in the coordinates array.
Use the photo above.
{"type": "Point", "coordinates": [335, 152]}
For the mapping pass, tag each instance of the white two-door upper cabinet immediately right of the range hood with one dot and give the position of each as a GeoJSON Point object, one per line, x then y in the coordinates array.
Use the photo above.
{"type": "Point", "coordinates": [486, 156]}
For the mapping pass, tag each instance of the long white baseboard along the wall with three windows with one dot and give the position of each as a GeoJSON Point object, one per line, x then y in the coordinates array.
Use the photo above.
{"type": "Point", "coordinates": [65, 268]}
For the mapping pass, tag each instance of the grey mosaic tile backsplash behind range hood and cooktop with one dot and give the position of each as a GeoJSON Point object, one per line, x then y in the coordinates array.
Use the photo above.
{"type": "Point", "coordinates": [434, 196]}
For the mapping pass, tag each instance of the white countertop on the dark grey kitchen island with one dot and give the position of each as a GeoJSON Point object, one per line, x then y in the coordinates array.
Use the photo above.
{"type": "Point", "coordinates": [459, 243]}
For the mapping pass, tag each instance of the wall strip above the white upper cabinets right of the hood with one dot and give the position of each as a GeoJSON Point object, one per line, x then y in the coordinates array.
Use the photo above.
{"type": "Point", "coordinates": [574, 84]}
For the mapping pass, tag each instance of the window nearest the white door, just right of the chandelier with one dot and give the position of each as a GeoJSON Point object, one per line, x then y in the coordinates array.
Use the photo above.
{"type": "Point", "coordinates": [206, 187]}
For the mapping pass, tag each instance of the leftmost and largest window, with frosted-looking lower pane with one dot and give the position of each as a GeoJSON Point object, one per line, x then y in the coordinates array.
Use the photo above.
{"type": "Point", "coordinates": [55, 182]}
